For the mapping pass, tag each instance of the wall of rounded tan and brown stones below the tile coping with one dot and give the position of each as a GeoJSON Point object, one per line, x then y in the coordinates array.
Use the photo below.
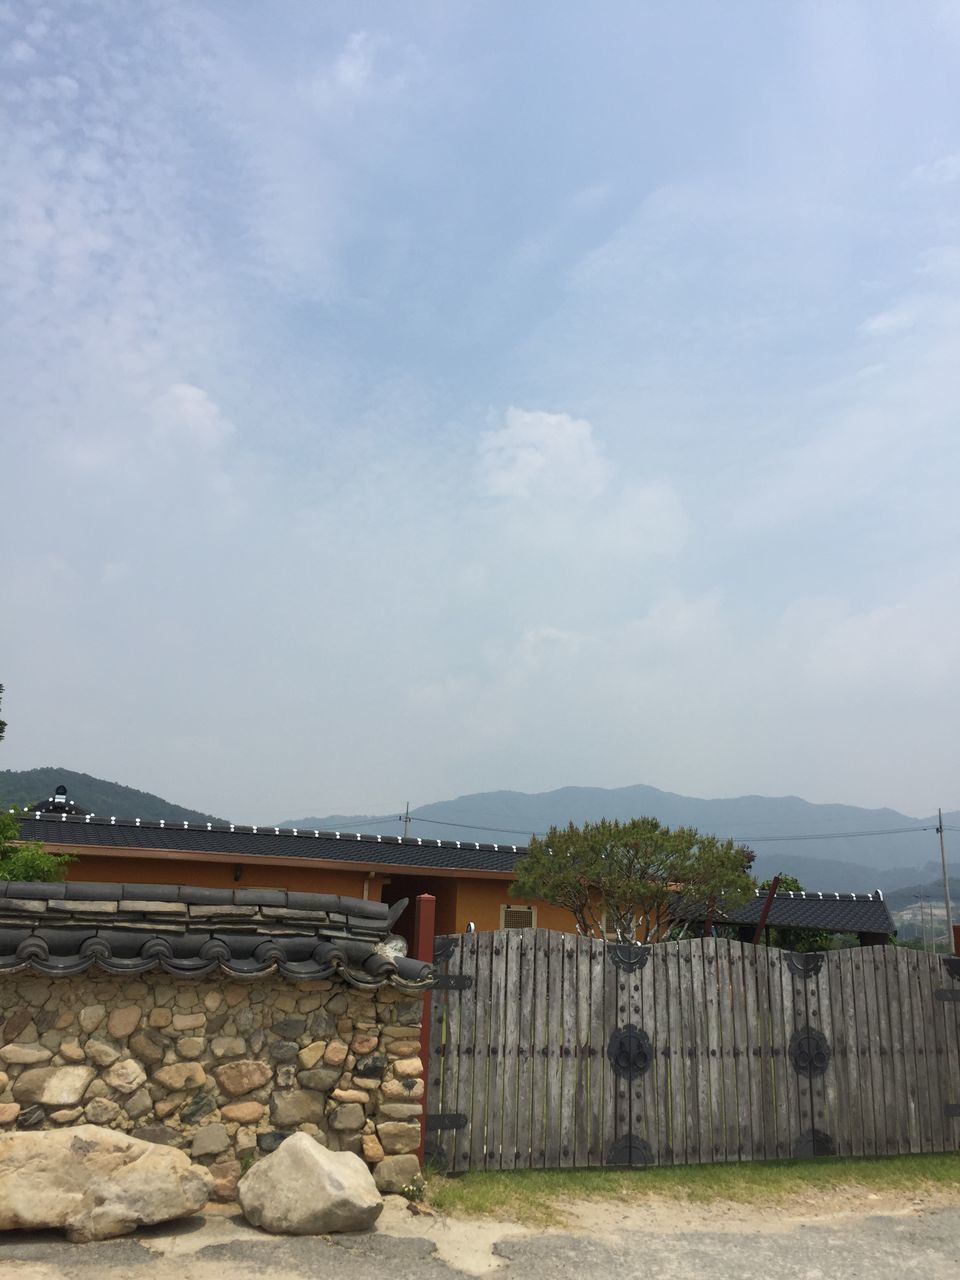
{"type": "Point", "coordinates": [222, 1069]}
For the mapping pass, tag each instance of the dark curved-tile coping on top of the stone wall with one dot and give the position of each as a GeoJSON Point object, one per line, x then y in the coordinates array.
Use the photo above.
{"type": "Point", "coordinates": [65, 929]}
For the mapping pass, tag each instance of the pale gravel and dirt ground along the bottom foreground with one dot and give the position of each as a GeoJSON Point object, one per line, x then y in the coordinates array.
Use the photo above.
{"type": "Point", "coordinates": [915, 1242]}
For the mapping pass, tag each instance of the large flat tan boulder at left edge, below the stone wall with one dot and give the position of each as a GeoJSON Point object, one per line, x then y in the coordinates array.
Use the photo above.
{"type": "Point", "coordinates": [95, 1183]}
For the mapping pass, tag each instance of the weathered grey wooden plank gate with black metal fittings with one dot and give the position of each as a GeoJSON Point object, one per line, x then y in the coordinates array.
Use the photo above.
{"type": "Point", "coordinates": [548, 1050]}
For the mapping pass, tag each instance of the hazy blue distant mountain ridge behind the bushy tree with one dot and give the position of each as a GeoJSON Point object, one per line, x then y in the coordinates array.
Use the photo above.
{"type": "Point", "coordinates": [830, 858]}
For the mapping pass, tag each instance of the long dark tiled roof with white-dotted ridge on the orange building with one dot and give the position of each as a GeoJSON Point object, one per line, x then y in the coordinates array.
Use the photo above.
{"type": "Point", "coordinates": [342, 847]}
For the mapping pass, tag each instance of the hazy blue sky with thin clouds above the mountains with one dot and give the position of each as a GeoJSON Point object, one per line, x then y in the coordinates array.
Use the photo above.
{"type": "Point", "coordinates": [406, 401]}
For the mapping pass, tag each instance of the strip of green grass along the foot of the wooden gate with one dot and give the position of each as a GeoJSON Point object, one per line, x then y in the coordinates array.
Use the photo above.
{"type": "Point", "coordinates": [536, 1196]}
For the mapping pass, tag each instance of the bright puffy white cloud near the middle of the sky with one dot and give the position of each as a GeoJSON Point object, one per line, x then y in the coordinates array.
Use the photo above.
{"type": "Point", "coordinates": [542, 456]}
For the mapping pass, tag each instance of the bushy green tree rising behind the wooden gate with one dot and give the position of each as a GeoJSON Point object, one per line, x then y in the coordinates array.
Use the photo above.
{"type": "Point", "coordinates": [625, 876]}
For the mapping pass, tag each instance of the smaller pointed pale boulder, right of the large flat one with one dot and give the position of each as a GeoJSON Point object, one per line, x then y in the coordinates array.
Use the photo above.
{"type": "Point", "coordinates": [305, 1190]}
